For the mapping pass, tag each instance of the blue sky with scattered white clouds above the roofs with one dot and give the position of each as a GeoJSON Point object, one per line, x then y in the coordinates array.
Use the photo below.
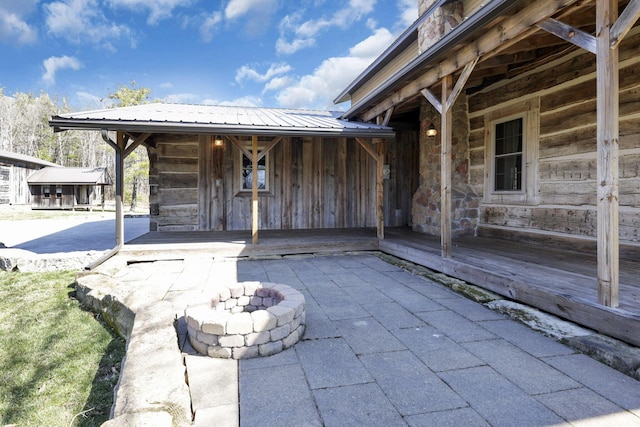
{"type": "Point", "coordinates": [264, 53]}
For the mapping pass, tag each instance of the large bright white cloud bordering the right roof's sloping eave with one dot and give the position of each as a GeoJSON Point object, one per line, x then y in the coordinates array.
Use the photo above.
{"type": "Point", "coordinates": [317, 90]}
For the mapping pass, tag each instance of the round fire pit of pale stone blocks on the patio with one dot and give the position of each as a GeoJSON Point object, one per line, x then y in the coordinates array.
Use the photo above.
{"type": "Point", "coordinates": [246, 319]}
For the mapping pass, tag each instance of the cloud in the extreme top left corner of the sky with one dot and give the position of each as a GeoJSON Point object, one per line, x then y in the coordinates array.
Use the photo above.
{"type": "Point", "coordinates": [13, 26]}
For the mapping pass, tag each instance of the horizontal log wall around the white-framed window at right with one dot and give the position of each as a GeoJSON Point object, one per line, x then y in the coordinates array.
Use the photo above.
{"type": "Point", "coordinates": [565, 193]}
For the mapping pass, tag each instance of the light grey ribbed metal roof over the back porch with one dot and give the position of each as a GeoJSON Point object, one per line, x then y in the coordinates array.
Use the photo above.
{"type": "Point", "coordinates": [211, 119]}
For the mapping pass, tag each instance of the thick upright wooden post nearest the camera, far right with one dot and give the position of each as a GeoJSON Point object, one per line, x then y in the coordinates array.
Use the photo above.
{"type": "Point", "coordinates": [607, 154]}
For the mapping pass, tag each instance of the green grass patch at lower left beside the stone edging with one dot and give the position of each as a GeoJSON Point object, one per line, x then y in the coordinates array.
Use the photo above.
{"type": "Point", "coordinates": [58, 362]}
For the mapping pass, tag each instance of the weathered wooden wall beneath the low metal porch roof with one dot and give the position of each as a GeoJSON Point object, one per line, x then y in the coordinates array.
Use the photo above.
{"type": "Point", "coordinates": [314, 183]}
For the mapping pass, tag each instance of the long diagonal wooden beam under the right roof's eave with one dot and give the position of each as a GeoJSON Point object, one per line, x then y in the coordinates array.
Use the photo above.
{"type": "Point", "coordinates": [488, 41]}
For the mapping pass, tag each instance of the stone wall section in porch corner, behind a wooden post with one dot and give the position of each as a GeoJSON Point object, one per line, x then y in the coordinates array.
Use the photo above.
{"type": "Point", "coordinates": [426, 200]}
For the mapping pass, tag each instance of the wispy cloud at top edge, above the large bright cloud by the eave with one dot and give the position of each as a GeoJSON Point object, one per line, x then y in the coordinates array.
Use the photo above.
{"type": "Point", "coordinates": [296, 34]}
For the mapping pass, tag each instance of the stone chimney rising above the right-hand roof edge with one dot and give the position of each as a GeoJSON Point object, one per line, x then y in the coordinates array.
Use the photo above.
{"type": "Point", "coordinates": [441, 21]}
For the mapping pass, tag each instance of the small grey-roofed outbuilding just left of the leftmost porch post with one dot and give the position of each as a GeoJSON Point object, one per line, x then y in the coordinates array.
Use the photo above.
{"type": "Point", "coordinates": [68, 188]}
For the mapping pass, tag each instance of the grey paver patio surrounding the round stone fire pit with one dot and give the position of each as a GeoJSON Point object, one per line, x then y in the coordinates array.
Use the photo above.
{"type": "Point", "coordinates": [386, 347]}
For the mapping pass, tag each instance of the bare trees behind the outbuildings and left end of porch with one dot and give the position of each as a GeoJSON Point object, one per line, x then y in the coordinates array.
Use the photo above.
{"type": "Point", "coordinates": [24, 129]}
